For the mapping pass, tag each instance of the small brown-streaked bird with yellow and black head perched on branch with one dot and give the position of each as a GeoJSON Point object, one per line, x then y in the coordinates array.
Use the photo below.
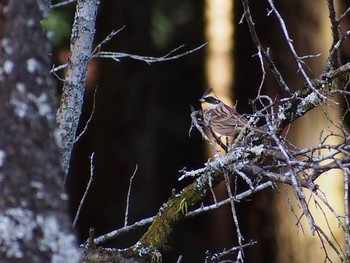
{"type": "Point", "coordinates": [220, 117]}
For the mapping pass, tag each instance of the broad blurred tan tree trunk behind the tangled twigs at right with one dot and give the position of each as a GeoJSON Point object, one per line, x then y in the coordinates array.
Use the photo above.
{"type": "Point", "coordinates": [310, 29]}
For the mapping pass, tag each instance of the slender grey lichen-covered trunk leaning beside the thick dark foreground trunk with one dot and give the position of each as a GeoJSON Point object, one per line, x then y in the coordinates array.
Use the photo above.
{"type": "Point", "coordinates": [69, 112]}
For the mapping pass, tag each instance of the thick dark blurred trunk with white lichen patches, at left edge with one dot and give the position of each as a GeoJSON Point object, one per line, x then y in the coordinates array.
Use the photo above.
{"type": "Point", "coordinates": [34, 225]}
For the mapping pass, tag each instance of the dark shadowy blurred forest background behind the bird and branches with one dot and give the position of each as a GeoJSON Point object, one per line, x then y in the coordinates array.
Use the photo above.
{"type": "Point", "coordinates": [142, 114]}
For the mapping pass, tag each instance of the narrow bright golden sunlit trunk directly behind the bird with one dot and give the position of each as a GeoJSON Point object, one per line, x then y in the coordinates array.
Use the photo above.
{"type": "Point", "coordinates": [219, 75]}
